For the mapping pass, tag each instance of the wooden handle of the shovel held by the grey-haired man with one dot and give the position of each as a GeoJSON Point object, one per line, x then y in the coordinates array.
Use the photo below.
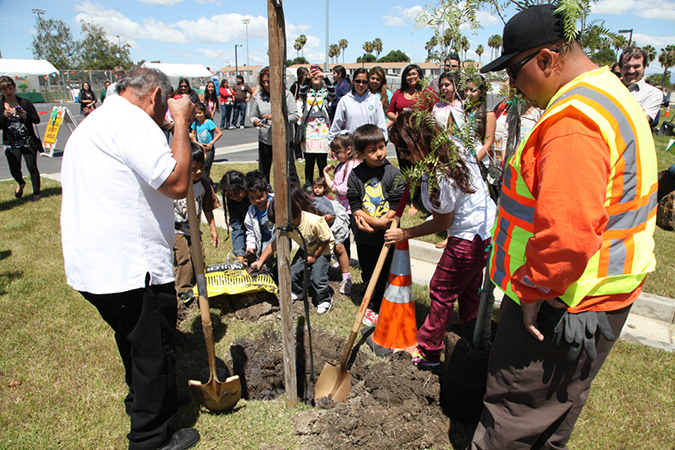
{"type": "Point", "coordinates": [198, 264]}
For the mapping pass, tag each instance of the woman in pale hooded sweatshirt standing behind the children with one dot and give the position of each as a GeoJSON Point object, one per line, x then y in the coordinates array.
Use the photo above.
{"type": "Point", "coordinates": [358, 107]}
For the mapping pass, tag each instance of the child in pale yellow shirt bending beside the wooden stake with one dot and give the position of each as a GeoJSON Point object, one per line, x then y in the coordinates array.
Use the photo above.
{"type": "Point", "coordinates": [318, 240]}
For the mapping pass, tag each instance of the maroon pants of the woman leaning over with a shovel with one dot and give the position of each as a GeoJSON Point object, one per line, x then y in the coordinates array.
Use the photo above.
{"type": "Point", "coordinates": [458, 277]}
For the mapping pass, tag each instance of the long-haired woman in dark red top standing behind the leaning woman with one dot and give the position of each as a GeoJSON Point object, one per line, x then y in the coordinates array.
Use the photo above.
{"type": "Point", "coordinates": [410, 96]}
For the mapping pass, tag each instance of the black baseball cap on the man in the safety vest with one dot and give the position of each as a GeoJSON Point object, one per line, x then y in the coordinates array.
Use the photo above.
{"type": "Point", "coordinates": [530, 28]}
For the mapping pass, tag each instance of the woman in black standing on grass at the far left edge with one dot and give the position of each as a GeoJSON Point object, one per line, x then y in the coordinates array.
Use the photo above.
{"type": "Point", "coordinates": [19, 137]}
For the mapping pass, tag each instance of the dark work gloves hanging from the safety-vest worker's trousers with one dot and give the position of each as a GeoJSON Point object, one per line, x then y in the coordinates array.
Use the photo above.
{"type": "Point", "coordinates": [579, 331]}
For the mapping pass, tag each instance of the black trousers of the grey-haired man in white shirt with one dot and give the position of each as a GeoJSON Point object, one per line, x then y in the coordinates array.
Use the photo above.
{"type": "Point", "coordinates": [144, 321]}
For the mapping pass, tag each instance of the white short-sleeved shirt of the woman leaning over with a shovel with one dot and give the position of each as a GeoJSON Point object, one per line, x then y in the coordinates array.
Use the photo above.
{"type": "Point", "coordinates": [474, 213]}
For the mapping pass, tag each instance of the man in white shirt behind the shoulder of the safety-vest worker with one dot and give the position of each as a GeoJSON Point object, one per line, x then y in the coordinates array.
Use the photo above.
{"type": "Point", "coordinates": [633, 62]}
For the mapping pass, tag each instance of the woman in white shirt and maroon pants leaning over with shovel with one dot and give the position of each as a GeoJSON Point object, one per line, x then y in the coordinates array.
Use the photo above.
{"type": "Point", "coordinates": [460, 204]}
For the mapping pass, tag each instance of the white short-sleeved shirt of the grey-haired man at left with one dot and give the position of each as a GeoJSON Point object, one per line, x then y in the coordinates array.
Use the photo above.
{"type": "Point", "coordinates": [116, 227]}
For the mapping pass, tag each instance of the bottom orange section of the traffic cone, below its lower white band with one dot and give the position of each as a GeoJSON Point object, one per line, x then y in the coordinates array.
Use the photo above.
{"type": "Point", "coordinates": [396, 326]}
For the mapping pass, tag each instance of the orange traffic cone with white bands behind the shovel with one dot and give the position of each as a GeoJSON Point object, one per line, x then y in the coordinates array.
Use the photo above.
{"type": "Point", "coordinates": [396, 325]}
